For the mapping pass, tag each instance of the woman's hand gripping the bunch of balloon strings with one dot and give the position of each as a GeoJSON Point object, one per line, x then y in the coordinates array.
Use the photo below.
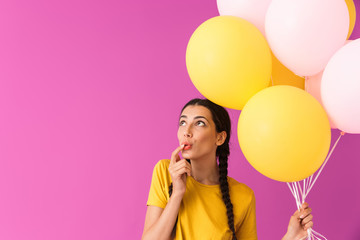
{"type": "Point", "coordinates": [299, 223]}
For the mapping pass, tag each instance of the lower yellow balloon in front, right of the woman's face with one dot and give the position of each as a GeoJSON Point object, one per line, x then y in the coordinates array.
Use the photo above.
{"type": "Point", "coordinates": [284, 133]}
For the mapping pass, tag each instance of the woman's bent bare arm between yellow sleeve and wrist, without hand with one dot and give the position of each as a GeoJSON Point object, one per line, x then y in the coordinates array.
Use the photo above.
{"type": "Point", "coordinates": [159, 222]}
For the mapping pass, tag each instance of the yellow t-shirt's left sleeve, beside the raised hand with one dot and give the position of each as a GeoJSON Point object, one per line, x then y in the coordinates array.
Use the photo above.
{"type": "Point", "coordinates": [159, 188]}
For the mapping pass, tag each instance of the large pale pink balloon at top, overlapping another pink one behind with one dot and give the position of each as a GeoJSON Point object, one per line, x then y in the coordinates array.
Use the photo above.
{"type": "Point", "coordinates": [304, 34]}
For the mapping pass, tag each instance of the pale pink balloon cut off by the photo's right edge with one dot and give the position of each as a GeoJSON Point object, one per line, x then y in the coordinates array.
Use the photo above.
{"type": "Point", "coordinates": [340, 88]}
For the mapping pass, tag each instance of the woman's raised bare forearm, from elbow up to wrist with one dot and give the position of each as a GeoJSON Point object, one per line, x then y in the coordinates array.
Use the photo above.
{"type": "Point", "coordinates": [163, 227]}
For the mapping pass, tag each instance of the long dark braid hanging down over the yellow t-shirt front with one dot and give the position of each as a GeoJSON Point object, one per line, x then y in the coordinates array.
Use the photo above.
{"type": "Point", "coordinates": [223, 152]}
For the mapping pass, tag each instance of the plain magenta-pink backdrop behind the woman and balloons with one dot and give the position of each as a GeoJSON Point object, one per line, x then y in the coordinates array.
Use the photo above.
{"type": "Point", "coordinates": [90, 93]}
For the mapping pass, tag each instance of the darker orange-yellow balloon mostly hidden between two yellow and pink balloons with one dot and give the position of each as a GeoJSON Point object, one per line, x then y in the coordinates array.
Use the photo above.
{"type": "Point", "coordinates": [281, 75]}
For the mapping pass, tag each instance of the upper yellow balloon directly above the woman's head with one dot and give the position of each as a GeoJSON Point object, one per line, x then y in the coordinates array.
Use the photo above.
{"type": "Point", "coordinates": [228, 60]}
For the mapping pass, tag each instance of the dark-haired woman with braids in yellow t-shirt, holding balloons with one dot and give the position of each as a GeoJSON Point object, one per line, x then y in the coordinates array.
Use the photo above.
{"type": "Point", "coordinates": [190, 198]}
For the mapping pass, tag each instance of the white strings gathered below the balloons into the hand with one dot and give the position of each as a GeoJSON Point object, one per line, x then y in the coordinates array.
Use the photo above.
{"type": "Point", "coordinates": [301, 190]}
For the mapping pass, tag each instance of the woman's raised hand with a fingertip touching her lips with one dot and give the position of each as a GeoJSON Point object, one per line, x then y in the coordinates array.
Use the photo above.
{"type": "Point", "coordinates": [179, 170]}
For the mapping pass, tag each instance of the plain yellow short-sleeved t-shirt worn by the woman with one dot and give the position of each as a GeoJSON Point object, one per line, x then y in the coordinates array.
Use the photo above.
{"type": "Point", "coordinates": [202, 213]}
